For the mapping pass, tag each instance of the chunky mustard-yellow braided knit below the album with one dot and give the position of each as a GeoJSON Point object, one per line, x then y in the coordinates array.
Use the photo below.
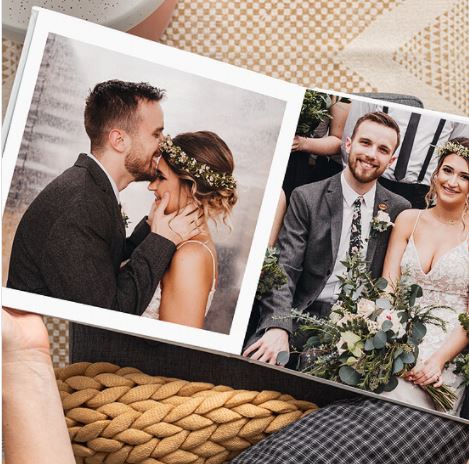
{"type": "Point", "coordinates": [120, 415]}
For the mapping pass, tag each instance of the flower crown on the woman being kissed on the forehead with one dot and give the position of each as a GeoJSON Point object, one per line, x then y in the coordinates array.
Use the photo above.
{"type": "Point", "coordinates": [199, 170]}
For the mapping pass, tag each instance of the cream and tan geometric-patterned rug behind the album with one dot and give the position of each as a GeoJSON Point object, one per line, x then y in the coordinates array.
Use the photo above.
{"type": "Point", "coordinates": [406, 46]}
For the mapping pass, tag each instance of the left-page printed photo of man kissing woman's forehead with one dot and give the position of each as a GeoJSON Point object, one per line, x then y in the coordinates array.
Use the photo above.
{"type": "Point", "coordinates": [137, 188]}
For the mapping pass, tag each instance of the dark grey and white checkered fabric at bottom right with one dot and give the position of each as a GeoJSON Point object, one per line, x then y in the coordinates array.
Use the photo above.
{"type": "Point", "coordinates": [362, 431]}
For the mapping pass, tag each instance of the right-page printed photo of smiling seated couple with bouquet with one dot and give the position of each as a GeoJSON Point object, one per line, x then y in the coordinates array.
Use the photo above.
{"type": "Point", "coordinates": [366, 278]}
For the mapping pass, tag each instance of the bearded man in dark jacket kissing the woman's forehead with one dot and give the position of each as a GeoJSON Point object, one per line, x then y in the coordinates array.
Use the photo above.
{"type": "Point", "coordinates": [71, 244]}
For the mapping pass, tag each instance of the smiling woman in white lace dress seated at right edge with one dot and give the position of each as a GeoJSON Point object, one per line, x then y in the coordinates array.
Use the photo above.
{"type": "Point", "coordinates": [432, 244]}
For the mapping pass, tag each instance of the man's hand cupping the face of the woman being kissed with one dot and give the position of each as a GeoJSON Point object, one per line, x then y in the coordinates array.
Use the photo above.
{"type": "Point", "coordinates": [176, 227]}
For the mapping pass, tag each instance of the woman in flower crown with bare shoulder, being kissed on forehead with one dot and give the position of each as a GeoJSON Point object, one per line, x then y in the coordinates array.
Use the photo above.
{"type": "Point", "coordinates": [194, 167]}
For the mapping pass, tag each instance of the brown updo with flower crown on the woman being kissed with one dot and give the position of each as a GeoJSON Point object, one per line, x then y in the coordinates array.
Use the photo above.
{"type": "Point", "coordinates": [209, 178]}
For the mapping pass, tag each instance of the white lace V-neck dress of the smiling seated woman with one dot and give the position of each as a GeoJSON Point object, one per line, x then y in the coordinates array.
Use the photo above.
{"type": "Point", "coordinates": [446, 283]}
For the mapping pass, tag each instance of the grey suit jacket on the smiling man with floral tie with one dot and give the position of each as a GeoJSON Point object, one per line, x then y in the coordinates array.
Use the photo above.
{"type": "Point", "coordinates": [308, 245]}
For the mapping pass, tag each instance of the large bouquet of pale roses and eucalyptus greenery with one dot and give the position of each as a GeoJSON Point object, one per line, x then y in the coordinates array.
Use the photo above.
{"type": "Point", "coordinates": [372, 334]}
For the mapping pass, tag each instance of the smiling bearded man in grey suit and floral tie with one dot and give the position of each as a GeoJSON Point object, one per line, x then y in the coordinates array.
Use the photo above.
{"type": "Point", "coordinates": [325, 221]}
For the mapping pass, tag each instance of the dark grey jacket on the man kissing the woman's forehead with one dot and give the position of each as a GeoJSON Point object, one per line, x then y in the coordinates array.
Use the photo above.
{"type": "Point", "coordinates": [70, 244]}
